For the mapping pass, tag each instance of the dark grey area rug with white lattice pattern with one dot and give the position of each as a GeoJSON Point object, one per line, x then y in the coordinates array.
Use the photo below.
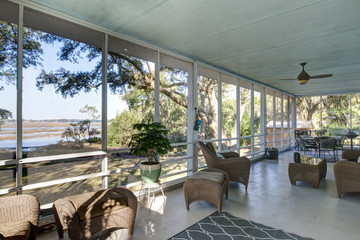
{"type": "Point", "coordinates": [224, 226]}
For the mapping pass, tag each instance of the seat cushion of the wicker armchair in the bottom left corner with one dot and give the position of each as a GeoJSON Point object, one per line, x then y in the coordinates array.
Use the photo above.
{"type": "Point", "coordinates": [15, 230]}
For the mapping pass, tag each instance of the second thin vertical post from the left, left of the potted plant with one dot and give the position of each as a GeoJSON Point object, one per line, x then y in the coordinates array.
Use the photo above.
{"type": "Point", "coordinates": [104, 164]}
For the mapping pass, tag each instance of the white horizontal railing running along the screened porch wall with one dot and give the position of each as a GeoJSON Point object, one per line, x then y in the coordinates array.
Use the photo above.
{"type": "Point", "coordinates": [105, 173]}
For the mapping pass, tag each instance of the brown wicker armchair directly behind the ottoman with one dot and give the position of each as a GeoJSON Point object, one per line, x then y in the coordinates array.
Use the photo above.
{"type": "Point", "coordinates": [237, 167]}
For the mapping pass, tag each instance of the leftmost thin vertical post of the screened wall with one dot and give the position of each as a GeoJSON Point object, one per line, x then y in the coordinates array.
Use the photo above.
{"type": "Point", "coordinates": [19, 87]}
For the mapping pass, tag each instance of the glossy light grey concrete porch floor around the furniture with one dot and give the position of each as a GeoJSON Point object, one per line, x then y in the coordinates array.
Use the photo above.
{"type": "Point", "coordinates": [271, 200]}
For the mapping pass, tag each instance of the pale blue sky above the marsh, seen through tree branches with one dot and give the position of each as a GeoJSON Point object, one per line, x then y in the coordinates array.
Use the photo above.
{"type": "Point", "coordinates": [46, 104]}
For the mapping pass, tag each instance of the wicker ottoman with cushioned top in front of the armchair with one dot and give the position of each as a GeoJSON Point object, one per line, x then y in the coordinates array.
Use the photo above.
{"type": "Point", "coordinates": [208, 185]}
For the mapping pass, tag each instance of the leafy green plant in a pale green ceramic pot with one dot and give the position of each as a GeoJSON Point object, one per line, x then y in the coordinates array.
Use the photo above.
{"type": "Point", "coordinates": [150, 141]}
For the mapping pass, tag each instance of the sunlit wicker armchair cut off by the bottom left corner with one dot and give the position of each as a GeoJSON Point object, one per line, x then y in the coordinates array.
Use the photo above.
{"type": "Point", "coordinates": [19, 217]}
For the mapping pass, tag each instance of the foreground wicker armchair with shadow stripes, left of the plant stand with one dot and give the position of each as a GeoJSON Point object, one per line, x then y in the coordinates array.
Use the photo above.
{"type": "Point", "coordinates": [87, 214]}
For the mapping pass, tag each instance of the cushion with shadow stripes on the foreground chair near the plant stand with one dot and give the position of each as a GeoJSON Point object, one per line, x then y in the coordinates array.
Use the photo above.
{"type": "Point", "coordinates": [89, 205]}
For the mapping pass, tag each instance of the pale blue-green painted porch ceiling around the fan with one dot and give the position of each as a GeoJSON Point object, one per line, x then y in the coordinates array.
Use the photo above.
{"type": "Point", "coordinates": [261, 40]}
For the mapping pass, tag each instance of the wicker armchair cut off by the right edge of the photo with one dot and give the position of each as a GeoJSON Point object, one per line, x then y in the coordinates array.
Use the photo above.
{"type": "Point", "coordinates": [347, 177]}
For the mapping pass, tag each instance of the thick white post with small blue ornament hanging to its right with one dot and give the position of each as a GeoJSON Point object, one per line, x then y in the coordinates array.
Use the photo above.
{"type": "Point", "coordinates": [192, 144]}
